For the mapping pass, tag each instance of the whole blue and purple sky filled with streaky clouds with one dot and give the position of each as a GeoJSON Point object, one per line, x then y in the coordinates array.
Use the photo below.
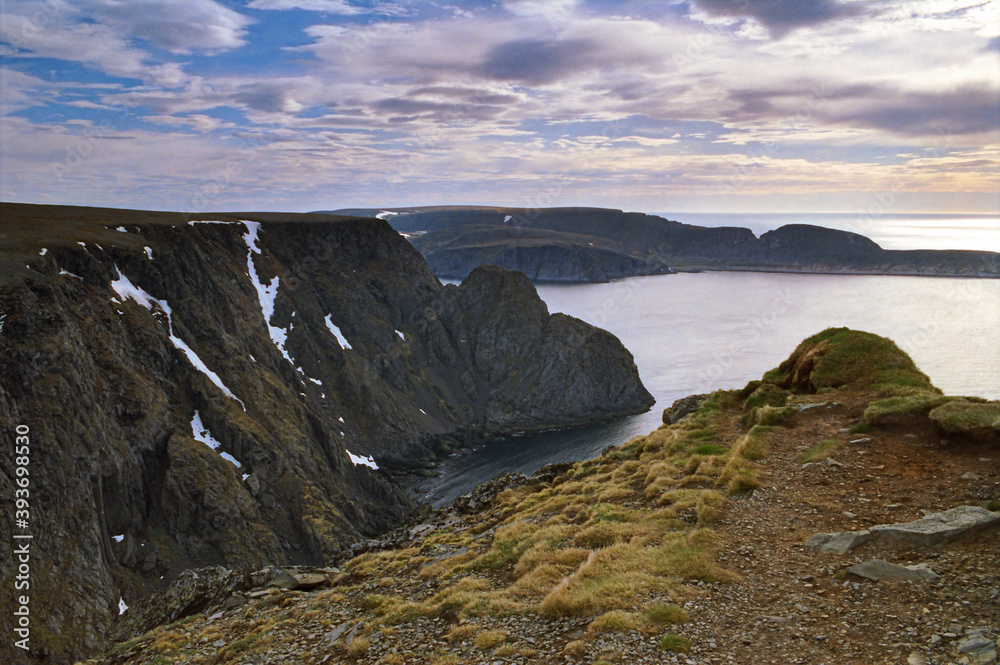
{"type": "Point", "coordinates": [701, 105]}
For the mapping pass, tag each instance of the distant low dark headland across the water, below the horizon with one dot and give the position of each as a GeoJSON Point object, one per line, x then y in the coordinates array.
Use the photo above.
{"type": "Point", "coordinates": [597, 244]}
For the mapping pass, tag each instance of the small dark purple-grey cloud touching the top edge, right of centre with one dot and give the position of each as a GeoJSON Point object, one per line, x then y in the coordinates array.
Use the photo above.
{"type": "Point", "coordinates": [781, 17]}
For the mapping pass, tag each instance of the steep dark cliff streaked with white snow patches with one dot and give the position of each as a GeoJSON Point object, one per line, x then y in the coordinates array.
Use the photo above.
{"type": "Point", "coordinates": [201, 393]}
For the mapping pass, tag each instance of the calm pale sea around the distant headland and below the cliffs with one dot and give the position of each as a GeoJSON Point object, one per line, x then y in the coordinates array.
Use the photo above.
{"type": "Point", "coordinates": [697, 332]}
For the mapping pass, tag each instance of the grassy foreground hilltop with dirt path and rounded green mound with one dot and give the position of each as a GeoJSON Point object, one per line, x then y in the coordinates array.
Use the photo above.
{"type": "Point", "coordinates": [686, 542]}
